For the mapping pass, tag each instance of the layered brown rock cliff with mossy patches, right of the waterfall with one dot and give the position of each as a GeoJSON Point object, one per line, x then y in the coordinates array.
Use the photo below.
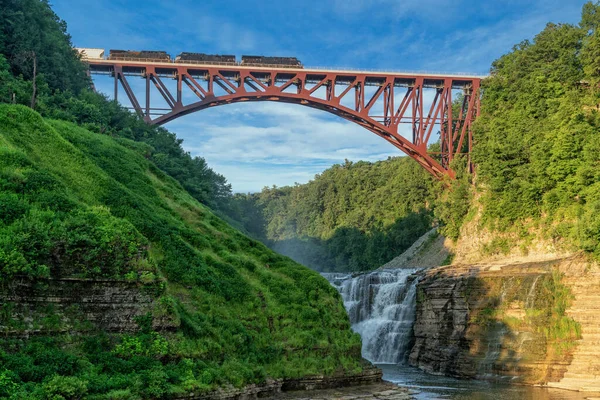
{"type": "Point", "coordinates": [495, 321]}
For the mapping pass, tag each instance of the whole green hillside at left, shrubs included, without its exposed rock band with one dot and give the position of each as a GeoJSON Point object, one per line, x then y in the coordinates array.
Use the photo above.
{"type": "Point", "coordinates": [78, 204]}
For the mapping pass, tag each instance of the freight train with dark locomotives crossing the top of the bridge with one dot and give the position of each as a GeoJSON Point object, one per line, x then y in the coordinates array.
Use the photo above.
{"type": "Point", "coordinates": [189, 58]}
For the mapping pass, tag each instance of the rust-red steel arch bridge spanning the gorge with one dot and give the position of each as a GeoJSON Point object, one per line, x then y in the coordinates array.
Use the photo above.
{"type": "Point", "coordinates": [378, 101]}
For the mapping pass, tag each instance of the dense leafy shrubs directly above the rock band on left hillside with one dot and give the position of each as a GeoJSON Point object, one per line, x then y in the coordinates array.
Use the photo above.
{"type": "Point", "coordinates": [45, 231]}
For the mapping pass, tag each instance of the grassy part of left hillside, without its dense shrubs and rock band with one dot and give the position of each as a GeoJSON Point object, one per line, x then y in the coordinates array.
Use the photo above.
{"type": "Point", "coordinates": [243, 311]}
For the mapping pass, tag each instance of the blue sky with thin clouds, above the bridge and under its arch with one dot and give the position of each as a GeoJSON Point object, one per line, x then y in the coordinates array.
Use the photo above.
{"type": "Point", "coordinates": [266, 143]}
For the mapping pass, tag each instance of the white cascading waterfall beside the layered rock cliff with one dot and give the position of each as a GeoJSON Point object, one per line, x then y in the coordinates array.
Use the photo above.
{"type": "Point", "coordinates": [381, 306]}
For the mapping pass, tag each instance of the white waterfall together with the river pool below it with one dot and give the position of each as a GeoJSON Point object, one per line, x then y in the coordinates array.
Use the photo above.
{"type": "Point", "coordinates": [381, 306]}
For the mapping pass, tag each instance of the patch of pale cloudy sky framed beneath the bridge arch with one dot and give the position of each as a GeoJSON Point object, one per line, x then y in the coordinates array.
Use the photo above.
{"type": "Point", "coordinates": [290, 144]}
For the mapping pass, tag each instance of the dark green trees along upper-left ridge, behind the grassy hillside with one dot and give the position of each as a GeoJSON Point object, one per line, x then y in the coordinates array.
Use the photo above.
{"type": "Point", "coordinates": [30, 27]}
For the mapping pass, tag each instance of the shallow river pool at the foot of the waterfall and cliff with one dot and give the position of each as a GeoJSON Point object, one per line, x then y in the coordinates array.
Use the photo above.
{"type": "Point", "coordinates": [429, 387]}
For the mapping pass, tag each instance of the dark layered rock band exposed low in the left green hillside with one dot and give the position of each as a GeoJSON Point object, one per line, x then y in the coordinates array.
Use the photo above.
{"type": "Point", "coordinates": [74, 305]}
